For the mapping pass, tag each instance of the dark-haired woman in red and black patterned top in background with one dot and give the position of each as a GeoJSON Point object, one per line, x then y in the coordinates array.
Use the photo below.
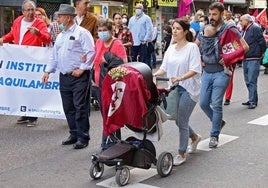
{"type": "Point", "coordinates": [123, 33]}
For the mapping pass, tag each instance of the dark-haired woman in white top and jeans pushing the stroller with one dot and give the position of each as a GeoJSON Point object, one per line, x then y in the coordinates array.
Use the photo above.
{"type": "Point", "coordinates": [182, 63]}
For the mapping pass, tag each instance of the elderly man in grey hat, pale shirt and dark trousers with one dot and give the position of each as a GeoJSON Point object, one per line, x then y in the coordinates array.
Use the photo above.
{"type": "Point", "coordinates": [70, 44]}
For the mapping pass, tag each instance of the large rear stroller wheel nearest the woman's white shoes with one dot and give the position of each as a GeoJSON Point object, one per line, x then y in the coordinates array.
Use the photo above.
{"type": "Point", "coordinates": [164, 164]}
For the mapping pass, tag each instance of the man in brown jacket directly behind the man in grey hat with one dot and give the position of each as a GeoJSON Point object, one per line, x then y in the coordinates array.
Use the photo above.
{"type": "Point", "coordinates": [85, 18]}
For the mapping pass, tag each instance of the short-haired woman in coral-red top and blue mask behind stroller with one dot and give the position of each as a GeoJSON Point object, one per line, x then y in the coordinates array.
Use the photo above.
{"type": "Point", "coordinates": [106, 42]}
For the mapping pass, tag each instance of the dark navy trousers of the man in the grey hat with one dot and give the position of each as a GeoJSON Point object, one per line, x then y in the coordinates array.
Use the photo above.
{"type": "Point", "coordinates": [75, 99]}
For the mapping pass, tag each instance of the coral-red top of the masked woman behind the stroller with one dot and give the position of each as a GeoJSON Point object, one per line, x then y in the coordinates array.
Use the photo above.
{"type": "Point", "coordinates": [117, 49]}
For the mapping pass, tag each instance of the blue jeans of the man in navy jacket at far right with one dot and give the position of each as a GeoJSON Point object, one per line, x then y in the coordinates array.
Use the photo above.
{"type": "Point", "coordinates": [251, 70]}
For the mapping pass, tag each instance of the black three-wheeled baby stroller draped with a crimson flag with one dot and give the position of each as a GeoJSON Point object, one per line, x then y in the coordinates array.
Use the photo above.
{"type": "Point", "coordinates": [130, 98]}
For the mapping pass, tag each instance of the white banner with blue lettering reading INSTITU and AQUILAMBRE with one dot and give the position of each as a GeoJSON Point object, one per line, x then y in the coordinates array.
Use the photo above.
{"type": "Point", "coordinates": [21, 89]}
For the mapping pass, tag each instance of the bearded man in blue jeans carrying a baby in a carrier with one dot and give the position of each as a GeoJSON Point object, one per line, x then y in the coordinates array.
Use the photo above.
{"type": "Point", "coordinates": [214, 79]}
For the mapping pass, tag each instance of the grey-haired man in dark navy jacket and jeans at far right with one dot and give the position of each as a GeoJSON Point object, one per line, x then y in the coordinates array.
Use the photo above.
{"type": "Point", "coordinates": [253, 35]}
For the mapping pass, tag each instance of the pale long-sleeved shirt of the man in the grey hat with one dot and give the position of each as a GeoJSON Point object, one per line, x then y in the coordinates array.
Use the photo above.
{"type": "Point", "coordinates": [67, 53]}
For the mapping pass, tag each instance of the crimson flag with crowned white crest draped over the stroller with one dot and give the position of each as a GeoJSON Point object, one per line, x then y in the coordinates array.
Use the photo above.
{"type": "Point", "coordinates": [124, 96]}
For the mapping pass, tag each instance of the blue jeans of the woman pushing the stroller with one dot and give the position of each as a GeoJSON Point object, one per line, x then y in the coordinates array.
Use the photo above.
{"type": "Point", "coordinates": [185, 108]}
